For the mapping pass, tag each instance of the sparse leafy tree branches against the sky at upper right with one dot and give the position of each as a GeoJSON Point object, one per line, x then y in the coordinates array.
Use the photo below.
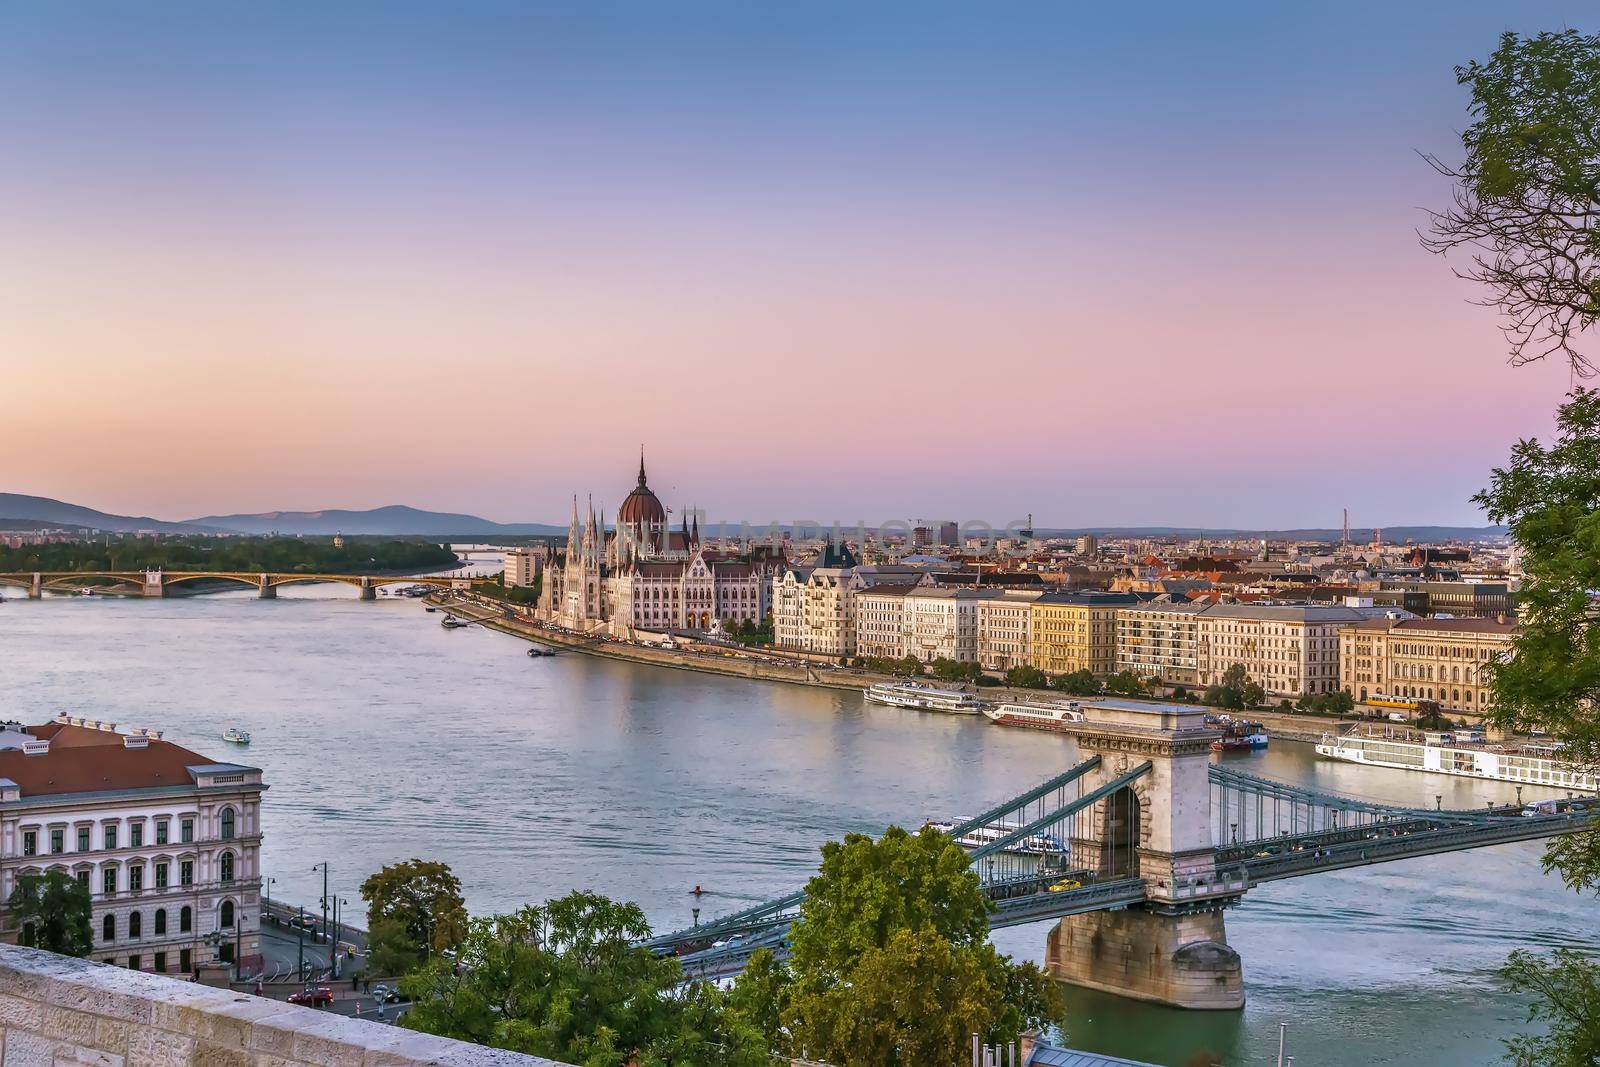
{"type": "Point", "coordinates": [1529, 191]}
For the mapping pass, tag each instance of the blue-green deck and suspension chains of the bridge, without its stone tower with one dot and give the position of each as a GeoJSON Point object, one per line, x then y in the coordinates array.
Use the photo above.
{"type": "Point", "coordinates": [1372, 834]}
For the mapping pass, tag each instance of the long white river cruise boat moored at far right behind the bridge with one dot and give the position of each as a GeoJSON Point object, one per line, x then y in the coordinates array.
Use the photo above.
{"type": "Point", "coordinates": [1526, 764]}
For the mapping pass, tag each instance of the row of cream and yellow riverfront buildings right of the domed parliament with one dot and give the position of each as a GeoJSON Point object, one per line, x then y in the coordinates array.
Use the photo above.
{"type": "Point", "coordinates": [1292, 650]}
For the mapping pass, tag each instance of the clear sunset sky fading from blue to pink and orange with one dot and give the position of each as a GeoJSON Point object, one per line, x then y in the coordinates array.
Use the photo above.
{"type": "Point", "coordinates": [823, 260]}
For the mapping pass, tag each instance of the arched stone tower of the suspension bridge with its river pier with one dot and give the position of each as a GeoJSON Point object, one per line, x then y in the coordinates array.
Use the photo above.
{"type": "Point", "coordinates": [1172, 949]}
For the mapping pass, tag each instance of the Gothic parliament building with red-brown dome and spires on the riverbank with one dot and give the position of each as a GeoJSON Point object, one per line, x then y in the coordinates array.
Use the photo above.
{"type": "Point", "coordinates": [647, 577]}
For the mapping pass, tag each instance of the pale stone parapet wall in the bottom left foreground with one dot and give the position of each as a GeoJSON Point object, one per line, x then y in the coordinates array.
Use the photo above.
{"type": "Point", "coordinates": [57, 1012]}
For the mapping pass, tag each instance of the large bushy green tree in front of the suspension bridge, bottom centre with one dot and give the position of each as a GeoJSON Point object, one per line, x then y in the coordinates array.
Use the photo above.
{"type": "Point", "coordinates": [890, 961]}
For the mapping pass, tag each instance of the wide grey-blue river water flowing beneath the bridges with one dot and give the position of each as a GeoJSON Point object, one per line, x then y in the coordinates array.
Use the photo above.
{"type": "Point", "coordinates": [386, 737]}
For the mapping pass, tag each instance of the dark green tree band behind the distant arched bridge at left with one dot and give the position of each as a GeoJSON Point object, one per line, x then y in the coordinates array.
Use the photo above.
{"type": "Point", "coordinates": [358, 556]}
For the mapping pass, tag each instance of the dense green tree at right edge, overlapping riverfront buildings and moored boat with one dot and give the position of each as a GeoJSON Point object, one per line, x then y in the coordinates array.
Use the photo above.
{"type": "Point", "coordinates": [1551, 500]}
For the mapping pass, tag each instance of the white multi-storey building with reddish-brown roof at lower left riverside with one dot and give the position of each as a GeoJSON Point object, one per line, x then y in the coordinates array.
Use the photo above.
{"type": "Point", "coordinates": [167, 841]}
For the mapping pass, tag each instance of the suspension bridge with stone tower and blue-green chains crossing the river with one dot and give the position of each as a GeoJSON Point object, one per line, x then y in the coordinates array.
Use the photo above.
{"type": "Point", "coordinates": [1138, 850]}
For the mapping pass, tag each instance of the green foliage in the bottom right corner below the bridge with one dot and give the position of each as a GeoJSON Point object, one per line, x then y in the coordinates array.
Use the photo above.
{"type": "Point", "coordinates": [1566, 991]}
